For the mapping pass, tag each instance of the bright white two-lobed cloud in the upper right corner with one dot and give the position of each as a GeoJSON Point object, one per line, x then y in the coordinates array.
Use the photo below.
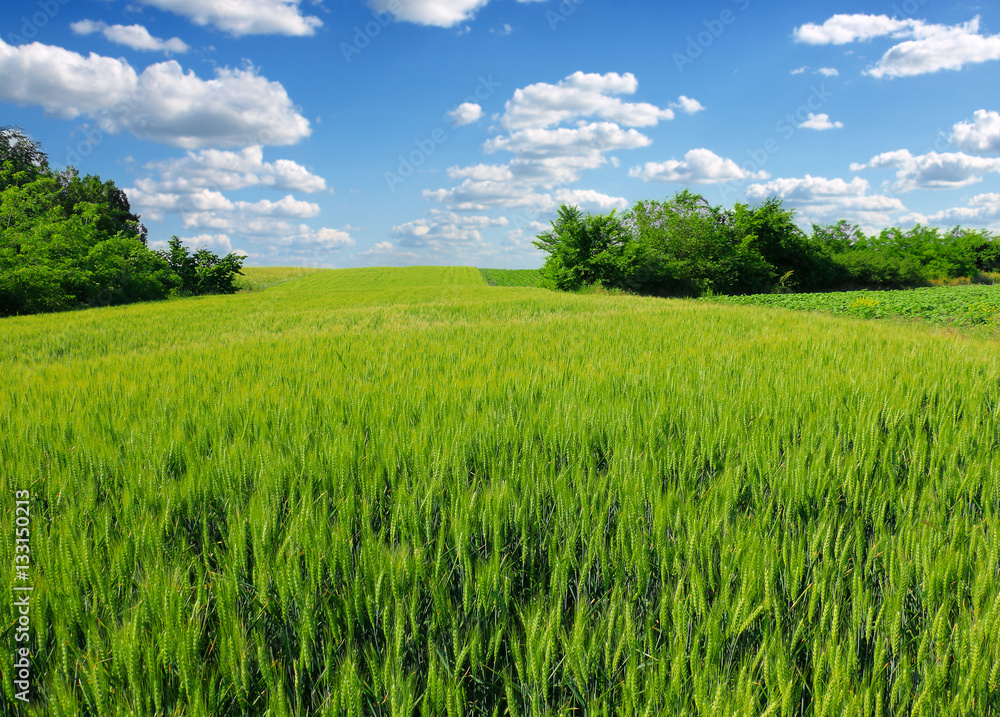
{"type": "Point", "coordinates": [924, 47]}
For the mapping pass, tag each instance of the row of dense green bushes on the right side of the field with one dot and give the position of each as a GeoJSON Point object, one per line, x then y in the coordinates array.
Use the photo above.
{"type": "Point", "coordinates": [685, 247]}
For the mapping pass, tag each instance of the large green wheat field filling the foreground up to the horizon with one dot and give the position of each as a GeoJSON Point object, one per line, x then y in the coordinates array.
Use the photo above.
{"type": "Point", "coordinates": [407, 492]}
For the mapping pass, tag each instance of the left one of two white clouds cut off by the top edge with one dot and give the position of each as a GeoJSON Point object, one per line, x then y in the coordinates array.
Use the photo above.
{"type": "Point", "coordinates": [244, 17]}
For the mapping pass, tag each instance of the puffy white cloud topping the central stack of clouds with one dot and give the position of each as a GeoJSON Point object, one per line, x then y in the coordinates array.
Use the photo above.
{"type": "Point", "coordinates": [582, 96]}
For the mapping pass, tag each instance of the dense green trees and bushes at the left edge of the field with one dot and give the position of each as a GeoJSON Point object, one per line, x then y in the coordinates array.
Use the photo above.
{"type": "Point", "coordinates": [69, 242]}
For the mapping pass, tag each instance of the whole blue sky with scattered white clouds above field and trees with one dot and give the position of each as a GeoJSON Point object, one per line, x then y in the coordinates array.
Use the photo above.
{"type": "Point", "coordinates": [352, 133]}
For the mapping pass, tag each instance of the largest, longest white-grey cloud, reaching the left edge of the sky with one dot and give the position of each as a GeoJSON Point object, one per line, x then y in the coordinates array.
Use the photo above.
{"type": "Point", "coordinates": [236, 108]}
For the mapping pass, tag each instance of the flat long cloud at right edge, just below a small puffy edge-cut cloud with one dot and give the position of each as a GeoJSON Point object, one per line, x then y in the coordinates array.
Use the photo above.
{"type": "Point", "coordinates": [934, 170]}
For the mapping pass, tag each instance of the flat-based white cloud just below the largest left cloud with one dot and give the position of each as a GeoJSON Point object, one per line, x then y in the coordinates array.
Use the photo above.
{"type": "Point", "coordinates": [224, 170]}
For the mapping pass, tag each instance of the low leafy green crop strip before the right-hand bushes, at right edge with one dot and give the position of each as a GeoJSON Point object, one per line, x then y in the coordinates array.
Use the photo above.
{"type": "Point", "coordinates": [969, 305]}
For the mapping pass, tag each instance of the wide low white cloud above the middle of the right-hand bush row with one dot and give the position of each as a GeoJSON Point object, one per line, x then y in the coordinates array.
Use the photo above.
{"type": "Point", "coordinates": [819, 199]}
